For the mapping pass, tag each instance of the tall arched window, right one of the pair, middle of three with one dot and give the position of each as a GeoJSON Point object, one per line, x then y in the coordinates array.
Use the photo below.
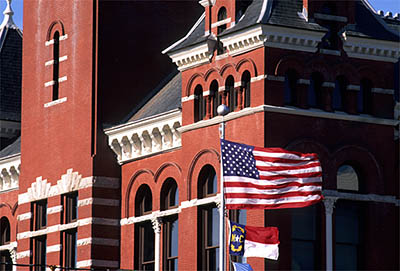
{"type": "Point", "coordinates": [169, 200]}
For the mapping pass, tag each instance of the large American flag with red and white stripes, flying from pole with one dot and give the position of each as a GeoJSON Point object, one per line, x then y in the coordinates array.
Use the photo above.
{"type": "Point", "coordinates": [269, 178]}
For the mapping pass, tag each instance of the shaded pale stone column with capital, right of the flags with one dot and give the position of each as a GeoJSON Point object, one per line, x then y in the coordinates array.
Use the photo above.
{"type": "Point", "coordinates": [329, 203]}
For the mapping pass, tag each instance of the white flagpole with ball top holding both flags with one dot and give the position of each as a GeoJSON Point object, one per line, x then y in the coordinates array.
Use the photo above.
{"type": "Point", "coordinates": [222, 110]}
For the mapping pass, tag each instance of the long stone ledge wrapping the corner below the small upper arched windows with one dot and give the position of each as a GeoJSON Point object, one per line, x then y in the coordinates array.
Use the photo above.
{"type": "Point", "coordinates": [288, 110]}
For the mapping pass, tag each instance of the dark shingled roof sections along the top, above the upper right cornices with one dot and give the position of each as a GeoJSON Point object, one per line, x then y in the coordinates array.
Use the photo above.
{"type": "Point", "coordinates": [288, 13]}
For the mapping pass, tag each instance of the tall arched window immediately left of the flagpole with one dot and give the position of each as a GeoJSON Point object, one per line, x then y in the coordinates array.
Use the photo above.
{"type": "Point", "coordinates": [208, 230]}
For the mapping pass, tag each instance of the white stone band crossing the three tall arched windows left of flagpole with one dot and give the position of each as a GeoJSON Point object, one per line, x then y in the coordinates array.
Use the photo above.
{"type": "Point", "coordinates": [160, 214]}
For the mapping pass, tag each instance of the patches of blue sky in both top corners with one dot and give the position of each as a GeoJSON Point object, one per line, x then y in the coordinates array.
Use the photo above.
{"type": "Point", "coordinates": [385, 5]}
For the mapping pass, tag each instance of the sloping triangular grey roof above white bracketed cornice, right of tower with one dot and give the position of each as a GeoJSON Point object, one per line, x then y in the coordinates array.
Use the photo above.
{"type": "Point", "coordinates": [166, 99]}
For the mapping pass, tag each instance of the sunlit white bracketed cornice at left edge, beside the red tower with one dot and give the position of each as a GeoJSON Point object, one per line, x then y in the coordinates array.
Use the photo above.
{"type": "Point", "coordinates": [9, 172]}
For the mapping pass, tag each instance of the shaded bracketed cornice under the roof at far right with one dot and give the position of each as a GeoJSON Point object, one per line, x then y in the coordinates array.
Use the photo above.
{"type": "Point", "coordinates": [365, 48]}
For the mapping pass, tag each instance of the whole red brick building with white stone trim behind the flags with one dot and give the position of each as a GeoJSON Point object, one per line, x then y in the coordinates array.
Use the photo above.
{"type": "Point", "coordinates": [119, 155]}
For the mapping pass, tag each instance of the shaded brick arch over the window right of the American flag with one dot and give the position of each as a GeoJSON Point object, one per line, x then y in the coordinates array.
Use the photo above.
{"type": "Point", "coordinates": [365, 164]}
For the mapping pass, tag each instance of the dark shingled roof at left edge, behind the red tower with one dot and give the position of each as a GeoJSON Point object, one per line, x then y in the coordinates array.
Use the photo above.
{"type": "Point", "coordinates": [10, 73]}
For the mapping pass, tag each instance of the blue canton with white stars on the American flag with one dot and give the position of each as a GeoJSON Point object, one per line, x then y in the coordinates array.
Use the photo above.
{"type": "Point", "coordinates": [238, 160]}
